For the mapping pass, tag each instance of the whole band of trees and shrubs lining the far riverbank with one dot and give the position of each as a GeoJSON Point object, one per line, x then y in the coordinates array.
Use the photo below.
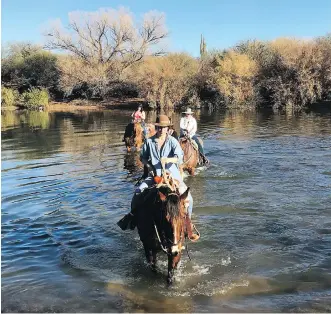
{"type": "Point", "coordinates": [107, 54]}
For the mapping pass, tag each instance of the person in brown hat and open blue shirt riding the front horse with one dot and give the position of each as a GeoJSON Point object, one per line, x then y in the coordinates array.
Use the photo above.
{"type": "Point", "coordinates": [159, 146]}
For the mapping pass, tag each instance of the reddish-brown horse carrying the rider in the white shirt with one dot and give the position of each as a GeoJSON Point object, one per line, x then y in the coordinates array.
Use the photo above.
{"type": "Point", "coordinates": [192, 156]}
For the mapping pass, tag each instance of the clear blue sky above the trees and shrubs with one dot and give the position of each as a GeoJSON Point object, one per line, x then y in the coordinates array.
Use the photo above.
{"type": "Point", "coordinates": [223, 22]}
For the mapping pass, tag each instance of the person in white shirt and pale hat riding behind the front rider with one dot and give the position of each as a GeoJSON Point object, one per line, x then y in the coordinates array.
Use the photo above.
{"type": "Point", "coordinates": [188, 127]}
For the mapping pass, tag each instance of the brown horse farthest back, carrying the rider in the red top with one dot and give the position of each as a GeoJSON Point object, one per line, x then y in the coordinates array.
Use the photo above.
{"type": "Point", "coordinates": [134, 135]}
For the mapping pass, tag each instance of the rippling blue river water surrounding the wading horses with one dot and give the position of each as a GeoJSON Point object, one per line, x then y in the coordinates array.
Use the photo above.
{"type": "Point", "coordinates": [263, 208]}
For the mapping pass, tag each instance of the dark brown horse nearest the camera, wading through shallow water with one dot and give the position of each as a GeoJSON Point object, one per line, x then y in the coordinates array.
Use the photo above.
{"type": "Point", "coordinates": [161, 222]}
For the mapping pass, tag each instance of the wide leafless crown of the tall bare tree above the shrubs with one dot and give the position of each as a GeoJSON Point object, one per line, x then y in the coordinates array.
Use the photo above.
{"type": "Point", "coordinates": [108, 37]}
